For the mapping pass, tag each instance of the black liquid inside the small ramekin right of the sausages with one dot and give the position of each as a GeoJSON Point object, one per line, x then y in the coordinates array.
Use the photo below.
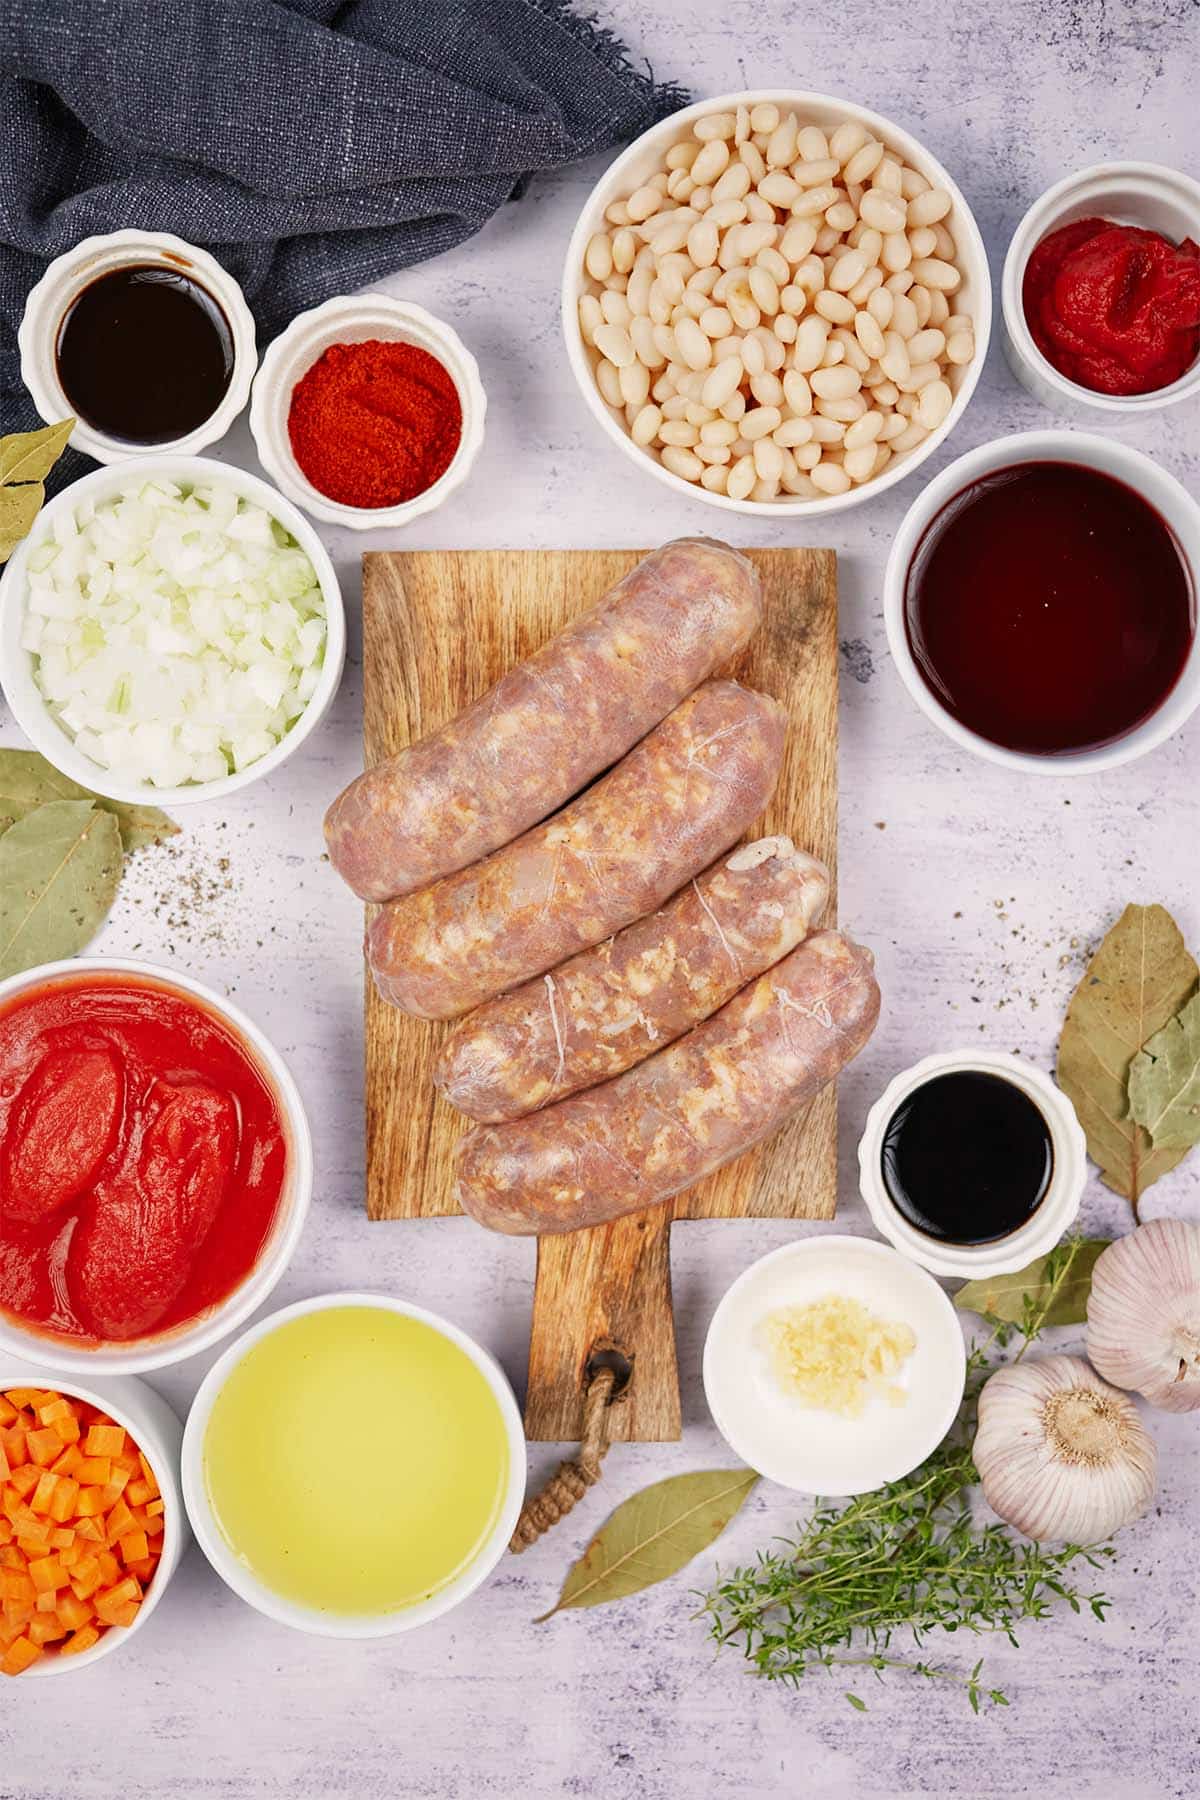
{"type": "Point", "coordinates": [967, 1158]}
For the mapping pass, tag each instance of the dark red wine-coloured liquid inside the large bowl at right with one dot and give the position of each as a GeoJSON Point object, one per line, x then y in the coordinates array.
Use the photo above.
{"type": "Point", "coordinates": [1050, 609]}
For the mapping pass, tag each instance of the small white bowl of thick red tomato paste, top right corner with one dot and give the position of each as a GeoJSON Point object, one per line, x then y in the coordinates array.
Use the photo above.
{"type": "Point", "coordinates": [1102, 292]}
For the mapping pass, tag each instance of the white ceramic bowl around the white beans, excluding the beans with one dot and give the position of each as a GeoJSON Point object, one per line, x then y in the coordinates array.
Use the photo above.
{"type": "Point", "coordinates": [645, 159]}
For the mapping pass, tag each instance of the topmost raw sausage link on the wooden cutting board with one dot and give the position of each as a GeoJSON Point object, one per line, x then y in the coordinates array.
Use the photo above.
{"type": "Point", "coordinates": [550, 726]}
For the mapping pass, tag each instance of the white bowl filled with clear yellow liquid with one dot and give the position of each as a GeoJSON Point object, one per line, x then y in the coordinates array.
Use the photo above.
{"type": "Point", "coordinates": [354, 1466]}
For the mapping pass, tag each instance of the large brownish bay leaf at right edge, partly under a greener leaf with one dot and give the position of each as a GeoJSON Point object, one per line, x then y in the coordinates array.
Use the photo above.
{"type": "Point", "coordinates": [1134, 985]}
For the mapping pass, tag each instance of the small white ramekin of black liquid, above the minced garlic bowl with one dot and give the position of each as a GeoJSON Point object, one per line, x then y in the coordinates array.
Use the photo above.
{"type": "Point", "coordinates": [972, 1164]}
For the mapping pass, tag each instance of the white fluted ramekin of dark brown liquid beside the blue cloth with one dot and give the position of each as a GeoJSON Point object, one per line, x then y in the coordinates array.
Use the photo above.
{"type": "Point", "coordinates": [145, 341]}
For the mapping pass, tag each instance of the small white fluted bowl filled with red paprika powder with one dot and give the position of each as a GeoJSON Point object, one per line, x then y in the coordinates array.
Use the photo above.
{"type": "Point", "coordinates": [368, 411]}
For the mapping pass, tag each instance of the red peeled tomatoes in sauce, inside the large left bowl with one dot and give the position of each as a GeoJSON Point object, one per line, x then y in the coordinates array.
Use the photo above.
{"type": "Point", "coordinates": [143, 1158]}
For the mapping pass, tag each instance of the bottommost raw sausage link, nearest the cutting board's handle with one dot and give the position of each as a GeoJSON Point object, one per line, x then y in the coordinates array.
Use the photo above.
{"type": "Point", "coordinates": [677, 1117]}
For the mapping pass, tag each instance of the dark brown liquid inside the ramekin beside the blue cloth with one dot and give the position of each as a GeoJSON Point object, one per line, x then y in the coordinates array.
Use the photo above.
{"type": "Point", "coordinates": [145, 354]}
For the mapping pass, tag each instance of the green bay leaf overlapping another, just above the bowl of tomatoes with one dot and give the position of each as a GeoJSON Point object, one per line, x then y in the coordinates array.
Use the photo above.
{"type": "Point", "coordinates": [60, 870]}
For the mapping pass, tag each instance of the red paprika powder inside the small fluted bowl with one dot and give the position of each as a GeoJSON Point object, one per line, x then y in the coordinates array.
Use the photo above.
{"type": "Point", "coordinates": [375, 424]}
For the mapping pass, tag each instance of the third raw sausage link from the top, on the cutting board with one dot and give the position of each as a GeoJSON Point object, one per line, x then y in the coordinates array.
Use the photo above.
{"type": "Point", "coordinates": [607, 1009]}
